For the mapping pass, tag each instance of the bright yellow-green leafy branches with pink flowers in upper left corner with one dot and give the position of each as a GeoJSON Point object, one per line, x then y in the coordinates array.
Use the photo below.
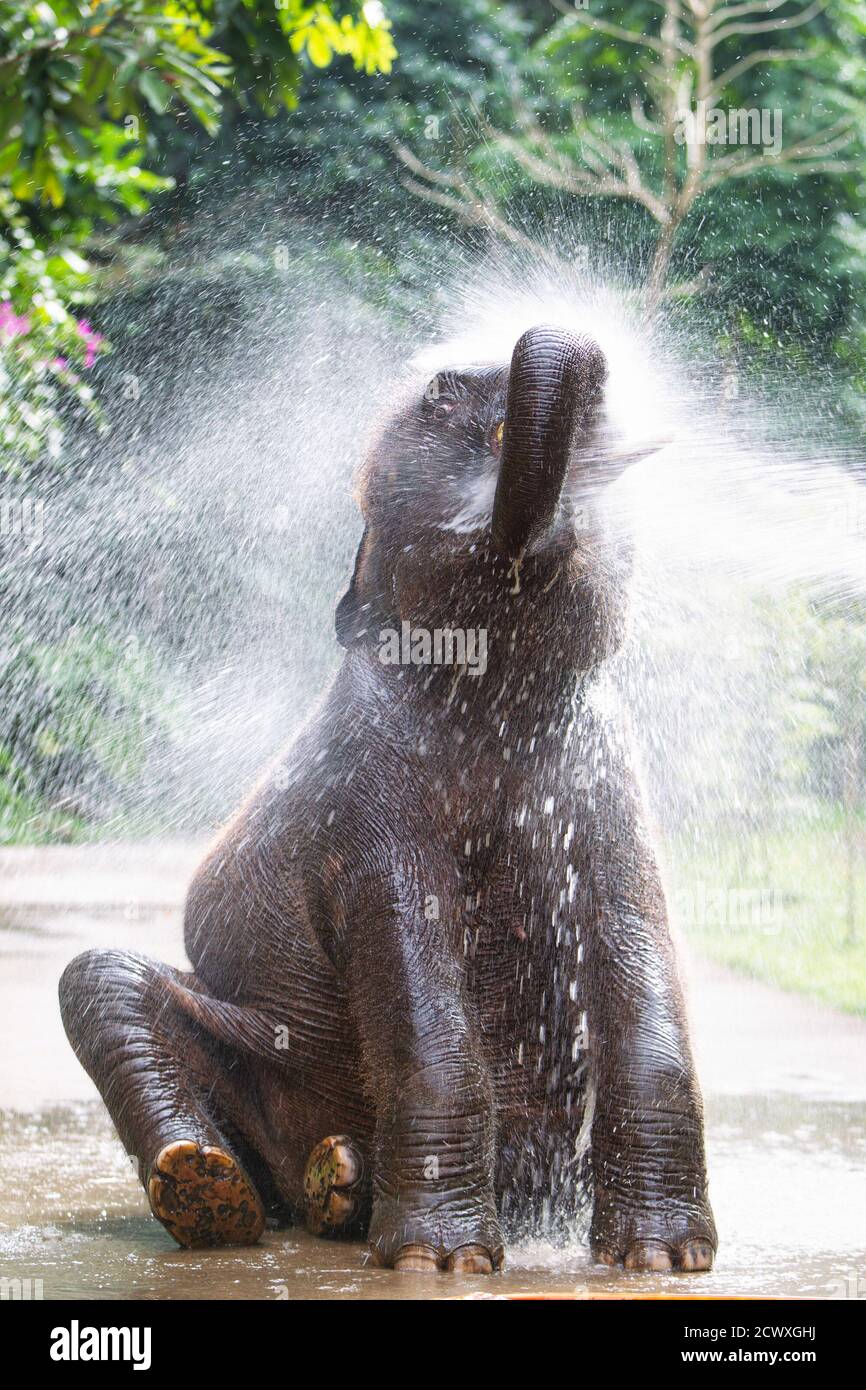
{"type": "Point", "coordinates": [88, 92]}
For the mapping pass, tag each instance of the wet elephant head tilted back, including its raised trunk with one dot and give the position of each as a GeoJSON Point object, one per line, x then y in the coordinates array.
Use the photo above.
{"type": "Point", "coordinates": [480, 500]}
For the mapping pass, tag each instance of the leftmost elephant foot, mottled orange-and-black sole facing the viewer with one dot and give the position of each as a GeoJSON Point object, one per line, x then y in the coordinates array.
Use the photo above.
{"type": "Point", "coordinates": [202, 1197]}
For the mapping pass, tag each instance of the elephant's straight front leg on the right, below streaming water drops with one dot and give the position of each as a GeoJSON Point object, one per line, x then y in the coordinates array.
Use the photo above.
{"type": "Point", "coordinates": [651, 1207]}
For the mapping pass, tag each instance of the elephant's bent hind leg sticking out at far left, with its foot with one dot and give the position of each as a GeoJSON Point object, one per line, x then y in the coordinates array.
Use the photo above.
{"type": "Point", "coordinates": [166, 1085]}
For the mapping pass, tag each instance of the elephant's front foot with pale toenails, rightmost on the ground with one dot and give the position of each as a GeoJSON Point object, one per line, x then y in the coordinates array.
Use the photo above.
{"type": "Point", "coordinates": [675, 1236]}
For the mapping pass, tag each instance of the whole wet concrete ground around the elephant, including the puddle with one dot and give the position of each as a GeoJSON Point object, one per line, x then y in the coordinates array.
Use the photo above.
{"type": "Point", "coordinates": [785, 1084]}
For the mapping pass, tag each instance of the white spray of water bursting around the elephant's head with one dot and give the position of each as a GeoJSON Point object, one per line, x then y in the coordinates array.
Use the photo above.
{"type": "Point", "coordinates": [219, 536]}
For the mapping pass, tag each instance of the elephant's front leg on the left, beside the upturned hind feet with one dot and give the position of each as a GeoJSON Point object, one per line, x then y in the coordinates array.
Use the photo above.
{"type": "Point", "coordinates": [434, 1153]}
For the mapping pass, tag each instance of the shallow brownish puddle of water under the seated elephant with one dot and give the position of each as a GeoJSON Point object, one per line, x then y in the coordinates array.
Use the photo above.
{"type": "Point", "coordinates": [74, 1217]}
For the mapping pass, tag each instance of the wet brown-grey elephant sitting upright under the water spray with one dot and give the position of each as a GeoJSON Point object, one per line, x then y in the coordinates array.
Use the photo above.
{"type": "Point", "coordinates": [434, 999]}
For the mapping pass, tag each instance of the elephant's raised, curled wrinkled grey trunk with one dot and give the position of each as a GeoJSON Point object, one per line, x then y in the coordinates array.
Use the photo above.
{"type": "Point", "coordinates": [554, 383]}
